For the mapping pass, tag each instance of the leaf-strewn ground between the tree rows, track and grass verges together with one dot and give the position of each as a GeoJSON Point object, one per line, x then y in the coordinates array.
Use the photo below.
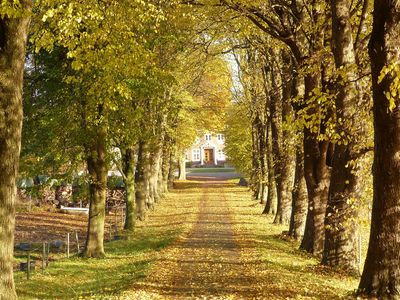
{"type": "Point", "coordinates": [206, 240]}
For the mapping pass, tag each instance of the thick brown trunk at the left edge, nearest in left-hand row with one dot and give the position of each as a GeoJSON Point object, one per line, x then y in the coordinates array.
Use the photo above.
{"type": "Point", "coordinates": [13, 36]}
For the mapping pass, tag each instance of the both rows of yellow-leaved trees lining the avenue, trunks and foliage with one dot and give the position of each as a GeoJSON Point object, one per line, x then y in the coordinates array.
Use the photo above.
{"type": "Point", "coordinates": [119, 73]}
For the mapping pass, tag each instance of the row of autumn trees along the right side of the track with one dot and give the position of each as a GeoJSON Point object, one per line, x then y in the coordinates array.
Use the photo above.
{"type": "Point", "coordinates": [305, 72]}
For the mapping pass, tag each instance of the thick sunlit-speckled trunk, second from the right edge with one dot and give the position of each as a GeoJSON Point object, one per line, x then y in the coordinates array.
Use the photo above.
{"type": "Point", "coordinates": [340, 249]}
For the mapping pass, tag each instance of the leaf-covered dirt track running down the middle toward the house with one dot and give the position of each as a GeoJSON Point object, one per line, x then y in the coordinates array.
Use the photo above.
{"type": "Point", "coordinates": [207, 261]}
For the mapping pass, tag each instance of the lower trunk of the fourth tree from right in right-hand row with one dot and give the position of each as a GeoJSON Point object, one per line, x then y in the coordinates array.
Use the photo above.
{"type": "Point", "coordinates": [299, 198]}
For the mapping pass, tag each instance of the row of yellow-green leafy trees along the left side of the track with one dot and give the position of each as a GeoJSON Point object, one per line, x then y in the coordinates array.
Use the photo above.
{"type": "Point", "coordinates": [123, 84]}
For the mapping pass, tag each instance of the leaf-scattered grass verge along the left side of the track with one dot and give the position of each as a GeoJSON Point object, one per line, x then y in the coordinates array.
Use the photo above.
{"type": "Point", "coordinates": [125, 263]}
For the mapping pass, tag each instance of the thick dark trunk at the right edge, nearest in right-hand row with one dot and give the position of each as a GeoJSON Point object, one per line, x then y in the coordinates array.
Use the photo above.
{"type": "Point", "coordinates": [381, 276]}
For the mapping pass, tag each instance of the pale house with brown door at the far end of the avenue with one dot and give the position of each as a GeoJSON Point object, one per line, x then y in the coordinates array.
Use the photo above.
{"type": "Point", "coordinates": [207, 150]}
